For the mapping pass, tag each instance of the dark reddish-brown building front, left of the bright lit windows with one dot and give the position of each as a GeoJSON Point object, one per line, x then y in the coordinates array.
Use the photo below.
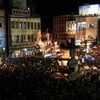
{"type": "Point", "coordinates": [60, 27]}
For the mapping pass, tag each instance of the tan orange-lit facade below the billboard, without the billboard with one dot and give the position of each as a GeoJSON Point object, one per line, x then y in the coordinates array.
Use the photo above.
{"type": "Point", "coordinates": [87, 27]}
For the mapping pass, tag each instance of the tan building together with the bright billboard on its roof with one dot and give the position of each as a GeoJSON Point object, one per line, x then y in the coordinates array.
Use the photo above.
{"type": "Point", "coordinates": [88, 22]}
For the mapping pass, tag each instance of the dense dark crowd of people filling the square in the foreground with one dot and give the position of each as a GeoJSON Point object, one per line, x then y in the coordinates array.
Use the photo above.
{"type": "Point", "coordinates": [33, 78]}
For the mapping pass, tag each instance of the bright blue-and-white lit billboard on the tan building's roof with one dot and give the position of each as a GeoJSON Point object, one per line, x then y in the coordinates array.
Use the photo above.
{"type": "Point", "coordinates": [89, 9]}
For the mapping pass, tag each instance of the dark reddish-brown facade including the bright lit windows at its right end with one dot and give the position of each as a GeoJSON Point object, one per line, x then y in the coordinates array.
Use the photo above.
{"type": "Point", "coordinates": [63, 27]}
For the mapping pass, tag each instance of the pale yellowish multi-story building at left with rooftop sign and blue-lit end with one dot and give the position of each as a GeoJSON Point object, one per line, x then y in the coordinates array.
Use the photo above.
{"type": "Point", "coordinates": [18, 29]}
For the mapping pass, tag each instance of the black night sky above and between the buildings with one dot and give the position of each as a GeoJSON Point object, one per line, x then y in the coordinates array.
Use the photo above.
{"type": "Point", "coordinates": [49, 8]}
